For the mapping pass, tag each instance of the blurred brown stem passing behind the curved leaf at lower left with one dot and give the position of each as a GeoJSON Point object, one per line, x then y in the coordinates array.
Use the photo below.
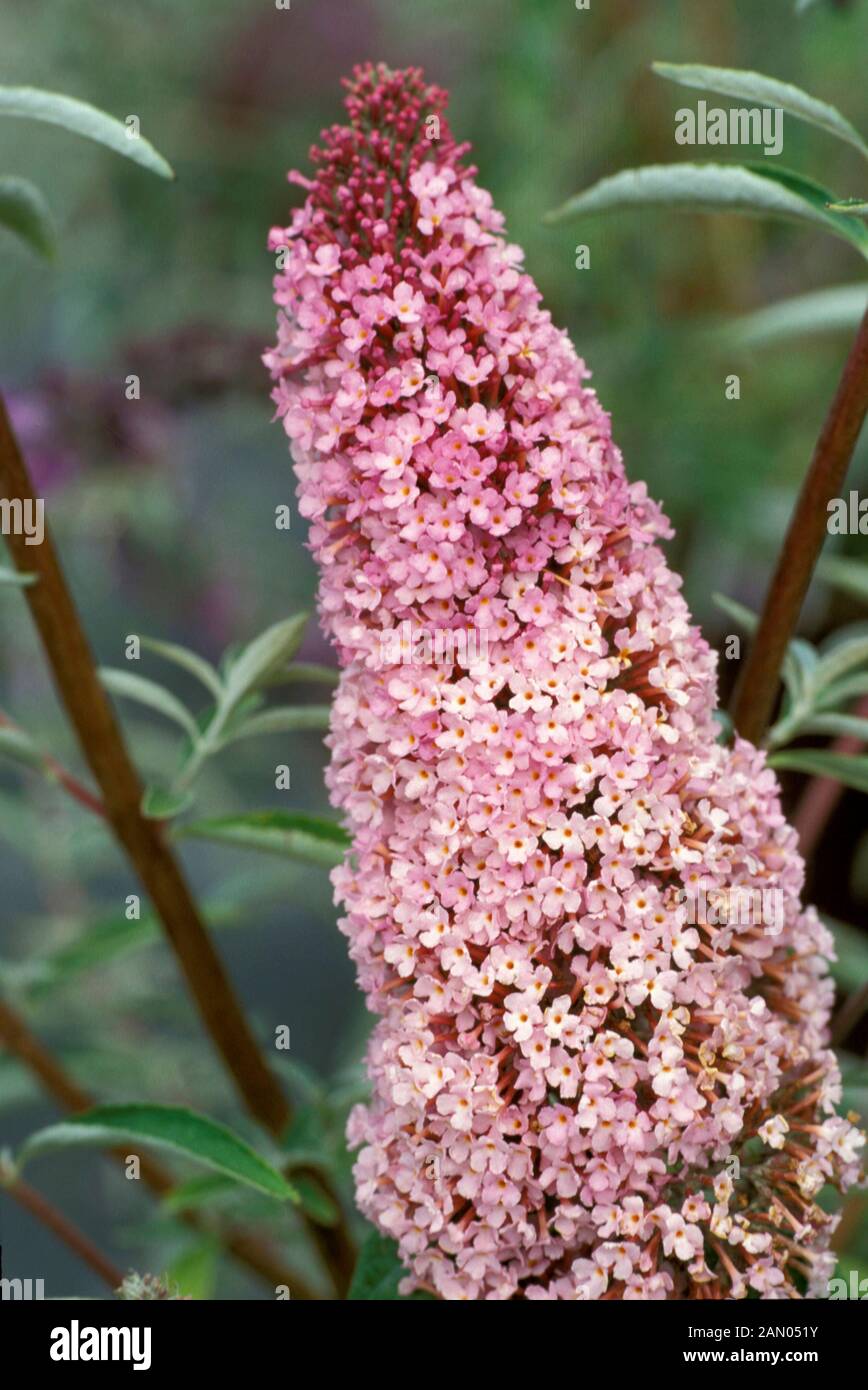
{"type": "Point", "coordinates": [250, 1250]}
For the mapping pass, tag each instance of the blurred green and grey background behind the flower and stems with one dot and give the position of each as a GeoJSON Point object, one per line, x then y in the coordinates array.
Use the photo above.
{"type": "Point", "coordinates": [165, 508]}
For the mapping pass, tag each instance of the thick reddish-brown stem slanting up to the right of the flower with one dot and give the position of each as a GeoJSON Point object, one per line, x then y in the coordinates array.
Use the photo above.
{"type": "Point", "coordinates": [757, 689]}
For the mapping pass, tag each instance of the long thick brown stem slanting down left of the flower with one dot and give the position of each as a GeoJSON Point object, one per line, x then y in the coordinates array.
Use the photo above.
{"type": "Point", "coordinates": [99, 735]}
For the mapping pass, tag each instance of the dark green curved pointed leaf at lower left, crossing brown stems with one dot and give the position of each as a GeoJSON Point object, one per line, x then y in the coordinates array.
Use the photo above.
{"type": "Point", "coordinates": [166, 1128]}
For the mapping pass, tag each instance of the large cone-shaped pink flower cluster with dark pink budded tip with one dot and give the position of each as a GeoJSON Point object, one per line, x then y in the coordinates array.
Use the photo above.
{"type": "Point", "coordinates": [563, 1067]}
